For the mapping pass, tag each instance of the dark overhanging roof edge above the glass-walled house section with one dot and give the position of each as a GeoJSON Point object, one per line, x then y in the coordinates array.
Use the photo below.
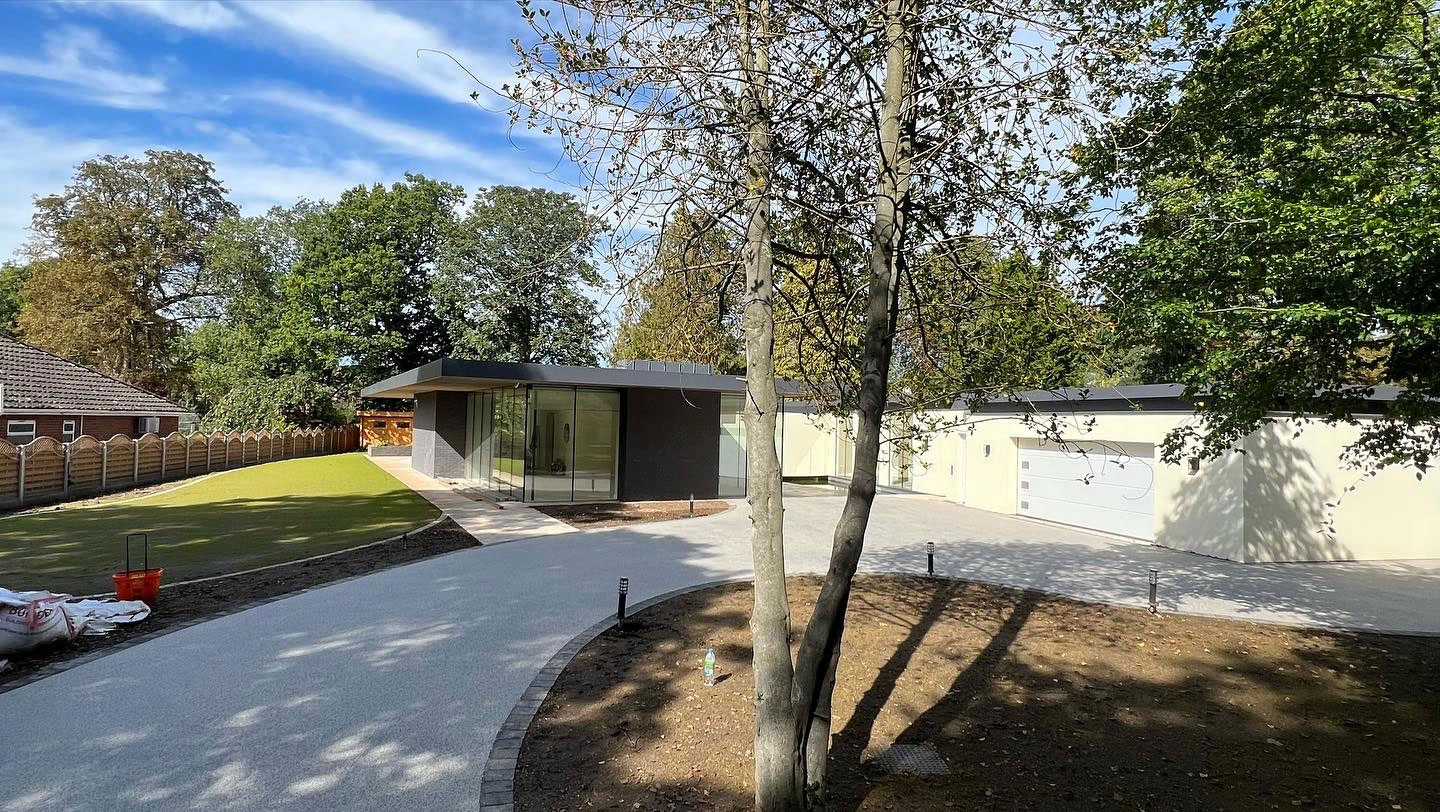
{"type": "Point", "coordinates": [459, 374]}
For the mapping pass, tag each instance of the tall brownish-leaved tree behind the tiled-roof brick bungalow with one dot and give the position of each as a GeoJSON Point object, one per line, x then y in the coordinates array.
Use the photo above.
{"type": "Point", "coordinates": [117, 257]}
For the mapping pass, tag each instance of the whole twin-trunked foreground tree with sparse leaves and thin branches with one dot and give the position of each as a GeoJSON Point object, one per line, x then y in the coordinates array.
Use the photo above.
{"type": "Point", "coordinates": [908, 130]}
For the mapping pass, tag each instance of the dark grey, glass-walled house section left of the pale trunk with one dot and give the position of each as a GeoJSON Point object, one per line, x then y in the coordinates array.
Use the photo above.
{"type": "Point", "coordinates": [562, 434]}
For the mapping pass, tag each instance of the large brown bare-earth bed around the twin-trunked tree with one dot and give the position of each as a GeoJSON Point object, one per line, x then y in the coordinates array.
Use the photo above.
{"type": "Point", "coordinates": [1033, 703]}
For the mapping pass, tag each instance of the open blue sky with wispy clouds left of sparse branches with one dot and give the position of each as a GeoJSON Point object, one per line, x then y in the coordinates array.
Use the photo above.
{"type": "Point", "coordinates": [289, 100]}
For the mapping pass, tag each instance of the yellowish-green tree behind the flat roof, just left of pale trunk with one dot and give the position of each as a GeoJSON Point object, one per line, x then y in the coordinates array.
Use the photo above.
{"type": "Point", "coordinates": [686, 307]}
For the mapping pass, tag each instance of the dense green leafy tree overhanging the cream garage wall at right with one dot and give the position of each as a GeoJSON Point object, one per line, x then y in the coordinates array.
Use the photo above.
{"type": "Point", "coordinates": [1288, 222]}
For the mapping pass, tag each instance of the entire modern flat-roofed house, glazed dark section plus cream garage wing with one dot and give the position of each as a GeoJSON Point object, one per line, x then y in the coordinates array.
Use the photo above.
{"type": "Point", "coordinates": [539, 433]}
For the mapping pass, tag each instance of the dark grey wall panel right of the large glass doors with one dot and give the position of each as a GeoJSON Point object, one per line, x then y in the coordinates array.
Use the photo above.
{"type": "Point", "coordinates": [672, 446]}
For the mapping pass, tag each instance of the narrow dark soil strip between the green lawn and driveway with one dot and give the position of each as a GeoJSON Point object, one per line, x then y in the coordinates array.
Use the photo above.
{"type": "Point", "coordinates": [189, 603]}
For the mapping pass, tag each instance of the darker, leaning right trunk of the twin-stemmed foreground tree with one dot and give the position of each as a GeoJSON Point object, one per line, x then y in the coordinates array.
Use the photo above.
{"type": "Point", "coordinates": [820, 650]}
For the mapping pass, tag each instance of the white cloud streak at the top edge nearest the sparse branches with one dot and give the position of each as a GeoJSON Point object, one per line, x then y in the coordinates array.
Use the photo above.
{"type": "Point", "coordinates": [385, 44]}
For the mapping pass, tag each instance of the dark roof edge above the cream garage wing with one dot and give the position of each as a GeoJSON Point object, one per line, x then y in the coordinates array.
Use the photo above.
{"type": "Point", "coordinates": [1140, 398]}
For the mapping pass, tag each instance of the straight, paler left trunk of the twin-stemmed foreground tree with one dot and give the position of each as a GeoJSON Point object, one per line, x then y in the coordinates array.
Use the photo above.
{"type": "Point", "coordinates": [777, 762]}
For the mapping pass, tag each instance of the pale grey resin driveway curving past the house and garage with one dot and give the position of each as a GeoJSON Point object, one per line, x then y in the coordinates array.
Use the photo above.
{"type": "Point", "coordinates": [385, 692]}
